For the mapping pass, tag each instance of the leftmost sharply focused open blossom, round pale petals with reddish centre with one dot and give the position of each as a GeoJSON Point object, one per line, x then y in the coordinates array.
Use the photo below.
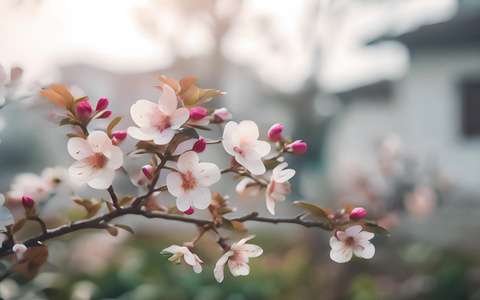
{"type": "Point", "coordinates": [97, 159]}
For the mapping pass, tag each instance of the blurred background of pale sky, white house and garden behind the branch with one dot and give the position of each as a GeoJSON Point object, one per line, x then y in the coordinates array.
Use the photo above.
{"type": "Point", "coordinates": [386, 93]}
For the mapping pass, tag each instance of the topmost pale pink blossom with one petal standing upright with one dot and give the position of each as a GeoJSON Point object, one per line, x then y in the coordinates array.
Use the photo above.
{"type": "Point", "coordinates": [158, 122]}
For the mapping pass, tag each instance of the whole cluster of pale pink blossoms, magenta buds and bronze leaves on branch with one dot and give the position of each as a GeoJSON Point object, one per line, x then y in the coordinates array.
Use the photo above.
{"type": "Point", "coordinates": [167, 131]}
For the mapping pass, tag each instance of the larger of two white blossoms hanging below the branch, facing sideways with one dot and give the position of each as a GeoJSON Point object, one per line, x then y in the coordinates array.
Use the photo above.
{"type": "Point", "coordinates": [237, 258]}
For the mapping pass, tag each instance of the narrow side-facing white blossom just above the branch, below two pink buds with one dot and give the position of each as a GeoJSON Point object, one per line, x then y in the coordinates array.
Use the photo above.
{"type": "Point", "coordinates": [278, 186]}
